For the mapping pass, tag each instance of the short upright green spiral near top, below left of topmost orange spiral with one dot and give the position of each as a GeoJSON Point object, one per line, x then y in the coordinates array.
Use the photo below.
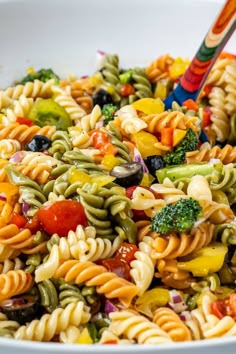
{"type": "Point", "coordinates": [142, 84]}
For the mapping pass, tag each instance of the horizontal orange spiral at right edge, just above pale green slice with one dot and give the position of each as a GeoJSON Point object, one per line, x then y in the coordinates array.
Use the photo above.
{"type": "Point", "coordinates": [226, 155]}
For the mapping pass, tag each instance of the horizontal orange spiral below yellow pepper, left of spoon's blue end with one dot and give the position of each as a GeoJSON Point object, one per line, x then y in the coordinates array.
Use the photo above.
{"type": "Point", "coordinates": [175, 119]}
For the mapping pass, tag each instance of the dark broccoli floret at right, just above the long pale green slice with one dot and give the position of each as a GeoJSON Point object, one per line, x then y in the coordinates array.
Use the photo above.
{"type": "Point", "coordinates": [177, 156]}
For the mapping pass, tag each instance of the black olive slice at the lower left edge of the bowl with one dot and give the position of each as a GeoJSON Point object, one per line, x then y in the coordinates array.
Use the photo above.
{"type": "Point", "coordinates": [21, 309]}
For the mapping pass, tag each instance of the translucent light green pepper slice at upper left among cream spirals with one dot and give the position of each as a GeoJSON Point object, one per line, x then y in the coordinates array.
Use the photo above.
{"type": "Point", "coordinates": [48, 112]}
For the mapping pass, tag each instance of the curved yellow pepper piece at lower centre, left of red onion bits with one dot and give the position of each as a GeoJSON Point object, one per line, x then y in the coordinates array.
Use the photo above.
{"type": "Point", "coordinates": [152, 298]}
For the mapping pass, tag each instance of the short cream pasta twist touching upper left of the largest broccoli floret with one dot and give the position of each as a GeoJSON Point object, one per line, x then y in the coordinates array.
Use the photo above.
{"type": "Point", "coordinates": [143, 199]}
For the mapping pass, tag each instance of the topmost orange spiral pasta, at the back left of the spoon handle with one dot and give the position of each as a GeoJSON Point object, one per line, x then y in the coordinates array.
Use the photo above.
{"type": "Point", "coordinates": [159, 68]}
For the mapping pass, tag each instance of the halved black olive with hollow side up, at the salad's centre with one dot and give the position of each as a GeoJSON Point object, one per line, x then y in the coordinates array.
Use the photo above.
{"type": "Point", "coordinates": [128, 174]}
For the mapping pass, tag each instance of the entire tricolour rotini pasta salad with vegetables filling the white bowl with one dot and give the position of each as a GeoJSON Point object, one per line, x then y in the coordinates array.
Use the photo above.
{"type": "Point", "coordinates": [117, 216]}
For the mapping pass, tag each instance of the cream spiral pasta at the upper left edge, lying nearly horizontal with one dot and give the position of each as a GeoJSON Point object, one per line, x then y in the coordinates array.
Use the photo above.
{"type": "Point", "coordinates": [30, 89]}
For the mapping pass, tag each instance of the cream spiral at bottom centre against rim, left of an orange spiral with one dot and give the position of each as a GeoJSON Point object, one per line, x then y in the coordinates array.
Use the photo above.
{"type": "Point", "coordinates": [131, 325]}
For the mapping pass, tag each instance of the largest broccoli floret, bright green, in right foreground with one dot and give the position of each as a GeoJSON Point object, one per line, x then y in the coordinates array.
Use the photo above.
{"type": "Point", "coordinates": [178, 217]}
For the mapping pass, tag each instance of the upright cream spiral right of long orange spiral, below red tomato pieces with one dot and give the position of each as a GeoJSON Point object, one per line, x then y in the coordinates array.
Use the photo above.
{"type": "Point", "coordinates": [142, 271]}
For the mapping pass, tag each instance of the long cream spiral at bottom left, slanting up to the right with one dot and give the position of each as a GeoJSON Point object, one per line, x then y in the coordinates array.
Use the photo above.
{"type": "Point", "coordinates": [59, 320]}
